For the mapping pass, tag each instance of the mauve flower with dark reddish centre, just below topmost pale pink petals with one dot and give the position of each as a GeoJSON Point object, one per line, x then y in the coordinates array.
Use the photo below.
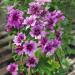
{"type": "Point", "coordinates": [34, 9]}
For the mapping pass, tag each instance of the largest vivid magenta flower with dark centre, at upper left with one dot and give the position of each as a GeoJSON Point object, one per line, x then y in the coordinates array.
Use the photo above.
{"type": "Point", "coordinates": [15, 18]}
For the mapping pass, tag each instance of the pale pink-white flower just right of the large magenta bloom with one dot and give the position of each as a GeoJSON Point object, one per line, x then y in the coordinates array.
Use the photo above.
{"type": "Point", "coordinates": [30, 20]}
